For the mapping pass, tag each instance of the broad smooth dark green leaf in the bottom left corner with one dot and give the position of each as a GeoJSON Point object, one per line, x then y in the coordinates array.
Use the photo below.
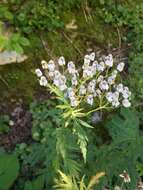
{"type": "Point", "coordinates": [9, 167]}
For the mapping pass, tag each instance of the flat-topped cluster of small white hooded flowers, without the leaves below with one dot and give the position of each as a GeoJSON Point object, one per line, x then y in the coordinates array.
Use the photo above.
{"type": "Point", "coordinates": [95, 82]}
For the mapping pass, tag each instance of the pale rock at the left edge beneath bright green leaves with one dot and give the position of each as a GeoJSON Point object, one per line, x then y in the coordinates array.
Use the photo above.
{"type": "Point", "coordinates": [8, 57]}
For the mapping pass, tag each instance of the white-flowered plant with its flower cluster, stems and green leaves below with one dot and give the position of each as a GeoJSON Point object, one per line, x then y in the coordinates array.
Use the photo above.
{"type": "Point", "coordinates": [83, 91]}
